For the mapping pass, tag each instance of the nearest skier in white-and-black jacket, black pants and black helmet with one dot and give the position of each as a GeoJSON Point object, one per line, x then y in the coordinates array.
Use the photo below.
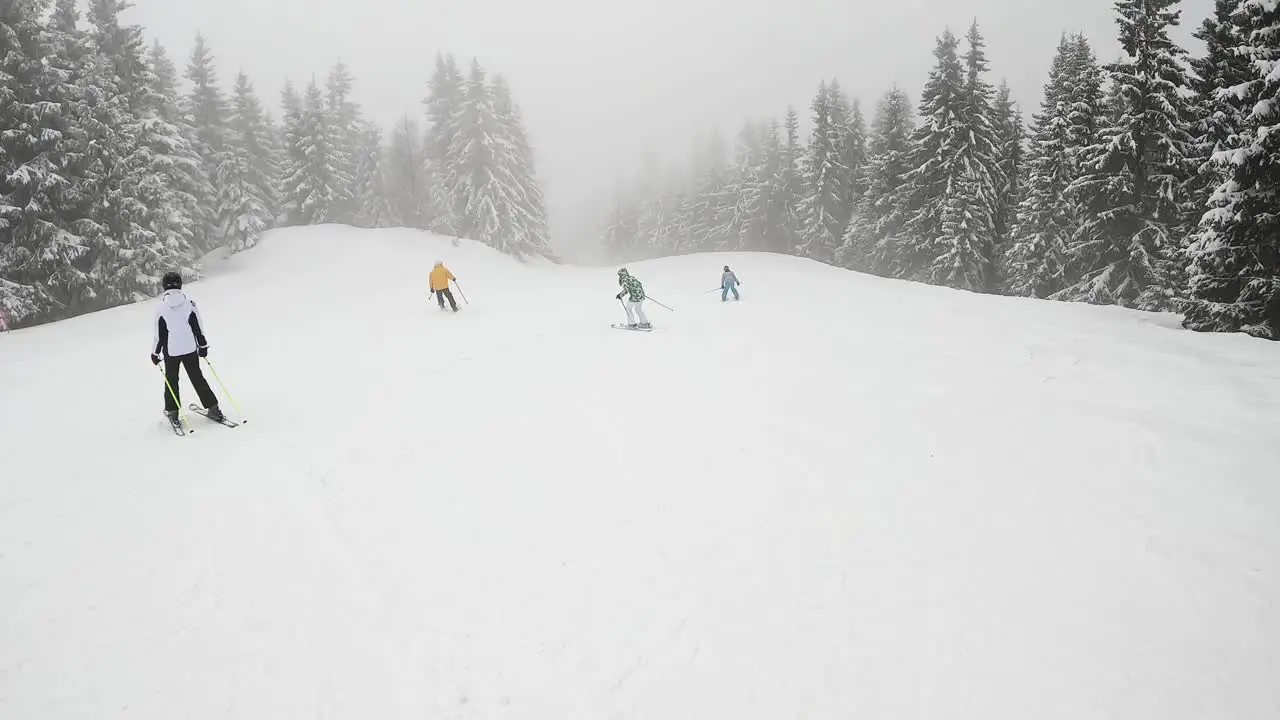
{"type": "Point", "coordinates": [179, 338]}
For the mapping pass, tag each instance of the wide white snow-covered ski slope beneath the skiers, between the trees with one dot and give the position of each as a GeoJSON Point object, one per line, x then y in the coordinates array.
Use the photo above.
{"type": "Point", "coordinates": [843, 498]}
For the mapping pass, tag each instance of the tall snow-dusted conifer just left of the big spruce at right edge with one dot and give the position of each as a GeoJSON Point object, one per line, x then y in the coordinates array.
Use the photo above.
{"type": "Point", "coordinates": [1128, 249]}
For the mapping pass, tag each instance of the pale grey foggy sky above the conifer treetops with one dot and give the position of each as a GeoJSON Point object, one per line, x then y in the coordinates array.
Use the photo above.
{"type": "Point", "coordinates": [600, 81]}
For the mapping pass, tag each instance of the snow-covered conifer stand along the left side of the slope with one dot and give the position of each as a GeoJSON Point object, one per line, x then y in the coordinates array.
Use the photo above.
{"type": "Point", "coordinates": [111, 175]}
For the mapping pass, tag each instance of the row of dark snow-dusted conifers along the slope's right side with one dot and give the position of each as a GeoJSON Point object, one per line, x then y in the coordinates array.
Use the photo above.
{"type": "Point", "coordinates": [1150, 183]}
